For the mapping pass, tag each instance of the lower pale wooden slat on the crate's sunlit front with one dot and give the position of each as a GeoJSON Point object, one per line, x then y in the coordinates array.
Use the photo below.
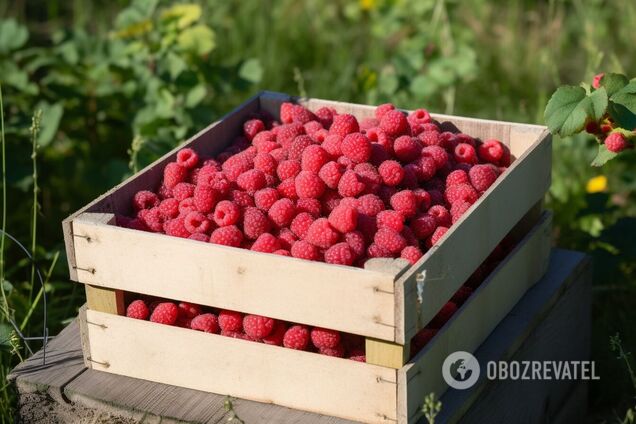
{"type": "Point", "coordinates": [256, 371]}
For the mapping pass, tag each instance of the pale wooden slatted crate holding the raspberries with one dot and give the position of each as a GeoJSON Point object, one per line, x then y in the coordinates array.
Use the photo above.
{"type": "Point", "coordinates": [387, 302]}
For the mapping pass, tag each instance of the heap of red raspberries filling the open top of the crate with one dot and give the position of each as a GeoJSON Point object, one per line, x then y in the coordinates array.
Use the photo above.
{"type": "Point", "coordinates": [324, 186]}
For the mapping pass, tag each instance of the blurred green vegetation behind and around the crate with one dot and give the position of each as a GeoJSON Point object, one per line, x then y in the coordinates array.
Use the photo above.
{"type": "Point", "coordinates": [119, 83]}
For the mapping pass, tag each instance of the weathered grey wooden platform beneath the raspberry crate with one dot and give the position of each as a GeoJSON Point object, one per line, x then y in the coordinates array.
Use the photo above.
{"type": "Point", "coordinates": [550, 322]}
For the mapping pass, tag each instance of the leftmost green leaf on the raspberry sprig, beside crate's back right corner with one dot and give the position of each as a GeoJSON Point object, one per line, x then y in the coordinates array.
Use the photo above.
{"type": "Point", "coordinates": [568, 110]}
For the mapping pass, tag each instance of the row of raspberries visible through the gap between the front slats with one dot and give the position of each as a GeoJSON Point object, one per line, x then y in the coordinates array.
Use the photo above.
{"type": "Point", "coordinates": [249, 327]}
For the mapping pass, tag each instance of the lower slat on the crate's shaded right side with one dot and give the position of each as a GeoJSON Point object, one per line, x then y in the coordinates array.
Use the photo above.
{"type": "Point", "coordinates": [474, 321]}
